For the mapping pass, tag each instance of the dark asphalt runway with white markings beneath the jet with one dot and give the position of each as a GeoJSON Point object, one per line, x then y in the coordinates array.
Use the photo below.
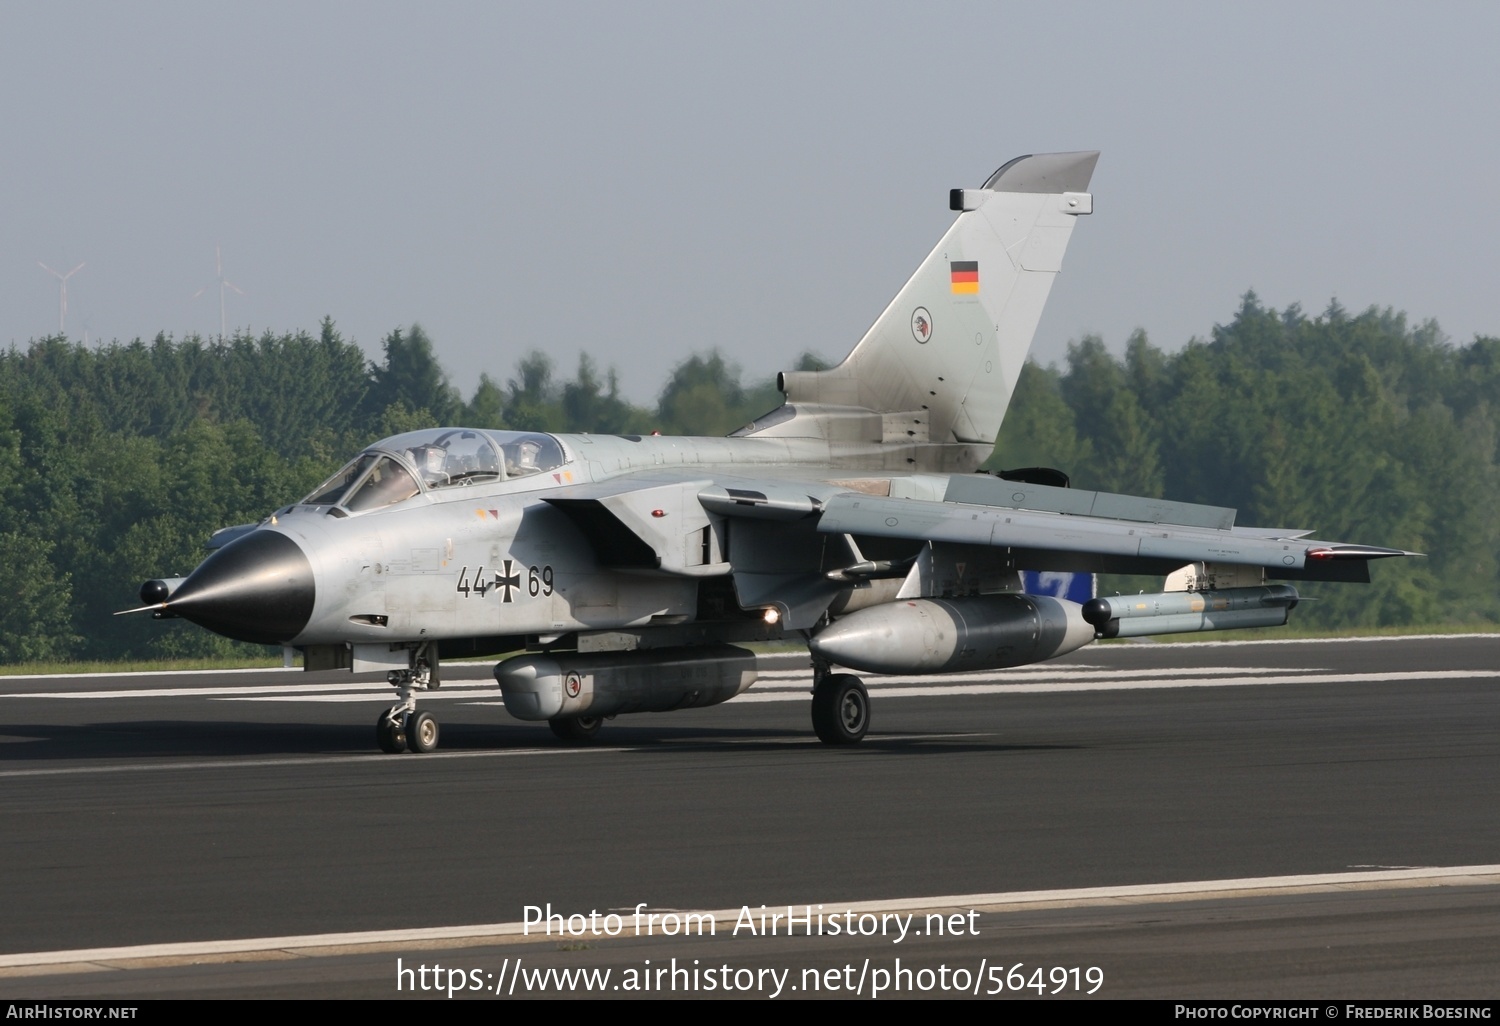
{"type": "Point", "coordinates": [1088, 812]}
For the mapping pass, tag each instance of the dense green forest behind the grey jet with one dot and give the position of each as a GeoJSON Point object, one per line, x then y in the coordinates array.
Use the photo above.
{"type": "Point", "coordinates": [119, 461]}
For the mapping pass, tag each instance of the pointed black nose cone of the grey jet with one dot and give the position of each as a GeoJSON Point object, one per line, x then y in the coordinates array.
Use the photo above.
{"type": "Point", "coordinates": [257, 589]}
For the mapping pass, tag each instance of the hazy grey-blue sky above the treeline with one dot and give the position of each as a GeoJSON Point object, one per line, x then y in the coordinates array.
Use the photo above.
{"type": "Point", "coordinates": [646, 181]}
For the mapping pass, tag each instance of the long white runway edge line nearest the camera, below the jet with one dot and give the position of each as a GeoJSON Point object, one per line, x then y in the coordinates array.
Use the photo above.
{"type": "Point", "coordinates": [458, 937]}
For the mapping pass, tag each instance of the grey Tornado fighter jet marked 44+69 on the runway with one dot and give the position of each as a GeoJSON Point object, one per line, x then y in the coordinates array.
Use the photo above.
{"type": "Point", "coordinates": [623, 574]}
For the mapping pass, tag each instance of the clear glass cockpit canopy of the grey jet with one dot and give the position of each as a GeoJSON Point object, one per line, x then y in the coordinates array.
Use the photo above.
{"type": "Point", "coordinates": [439, 458]}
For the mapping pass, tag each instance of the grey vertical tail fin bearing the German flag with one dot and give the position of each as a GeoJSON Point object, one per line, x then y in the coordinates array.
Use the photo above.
{"type": "Point", "coordinates": [952, 344]}
